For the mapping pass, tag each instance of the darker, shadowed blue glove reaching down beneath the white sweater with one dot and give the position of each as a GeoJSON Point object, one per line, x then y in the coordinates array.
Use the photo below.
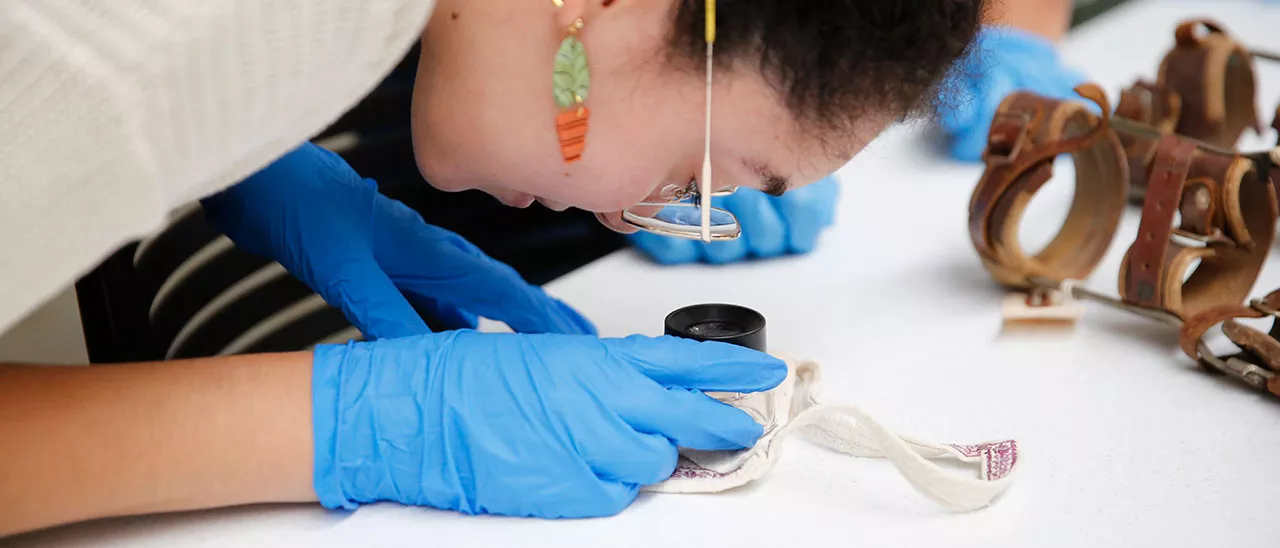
{"type": "Point", "coordinates": [369, 255]}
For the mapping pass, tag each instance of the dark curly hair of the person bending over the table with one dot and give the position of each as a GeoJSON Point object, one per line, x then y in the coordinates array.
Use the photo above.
{"type": "Point", "coordinates": [834, 61]}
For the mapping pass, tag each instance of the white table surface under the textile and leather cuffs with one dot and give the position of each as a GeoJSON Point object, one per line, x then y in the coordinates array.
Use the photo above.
{"type": "Point", "coordinates": [1123, 442]}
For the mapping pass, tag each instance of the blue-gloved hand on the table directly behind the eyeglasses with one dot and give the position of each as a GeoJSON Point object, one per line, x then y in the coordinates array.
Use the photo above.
{"type": "Point", "coordinates": [772, 226]}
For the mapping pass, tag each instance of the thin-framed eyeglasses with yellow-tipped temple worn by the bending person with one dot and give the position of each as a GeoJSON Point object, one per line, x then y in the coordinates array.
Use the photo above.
{"type": "Point", "coordinates": [688, 213]}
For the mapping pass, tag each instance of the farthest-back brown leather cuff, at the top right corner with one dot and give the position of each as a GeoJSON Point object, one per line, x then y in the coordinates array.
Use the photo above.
{"type": "Point", "coordinates": [1213, 75]}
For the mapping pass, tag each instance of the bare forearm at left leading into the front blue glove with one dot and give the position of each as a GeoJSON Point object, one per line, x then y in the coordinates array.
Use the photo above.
{"type": "Point", "coordinates": [107, 441]}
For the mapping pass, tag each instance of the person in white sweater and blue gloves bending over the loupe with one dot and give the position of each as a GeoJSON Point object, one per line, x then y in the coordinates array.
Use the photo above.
{"type": "Point", "coordinates": [118, 113]}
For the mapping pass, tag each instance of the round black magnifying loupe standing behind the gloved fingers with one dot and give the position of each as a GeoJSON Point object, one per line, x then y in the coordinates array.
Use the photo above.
{"type": "Point", "coordinates": [717, 322]}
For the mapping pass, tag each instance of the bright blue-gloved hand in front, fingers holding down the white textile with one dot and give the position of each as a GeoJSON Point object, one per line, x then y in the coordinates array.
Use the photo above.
{"type": "Point", "coordinates": [542, 426]}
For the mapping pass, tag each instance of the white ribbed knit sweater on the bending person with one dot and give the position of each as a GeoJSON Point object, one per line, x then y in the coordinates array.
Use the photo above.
{"type": "Point", "coordinates": [113, 113]}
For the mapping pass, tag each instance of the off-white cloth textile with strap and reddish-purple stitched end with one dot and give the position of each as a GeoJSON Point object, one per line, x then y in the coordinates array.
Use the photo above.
{"type": "Point", "coordinates": [794, 408]}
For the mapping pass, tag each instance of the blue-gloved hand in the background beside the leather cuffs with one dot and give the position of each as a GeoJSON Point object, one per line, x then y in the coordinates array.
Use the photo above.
{"type": "Point", "coordinates": [1005, 61]}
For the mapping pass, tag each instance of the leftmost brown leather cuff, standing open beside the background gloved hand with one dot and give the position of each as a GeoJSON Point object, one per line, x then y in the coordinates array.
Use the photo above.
{"type": "Point", "coordinates": [1027, 134]}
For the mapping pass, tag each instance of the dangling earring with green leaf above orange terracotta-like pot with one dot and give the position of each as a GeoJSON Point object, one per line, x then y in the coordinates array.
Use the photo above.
{"type": "Point", "coordinates": [570, 85]}
